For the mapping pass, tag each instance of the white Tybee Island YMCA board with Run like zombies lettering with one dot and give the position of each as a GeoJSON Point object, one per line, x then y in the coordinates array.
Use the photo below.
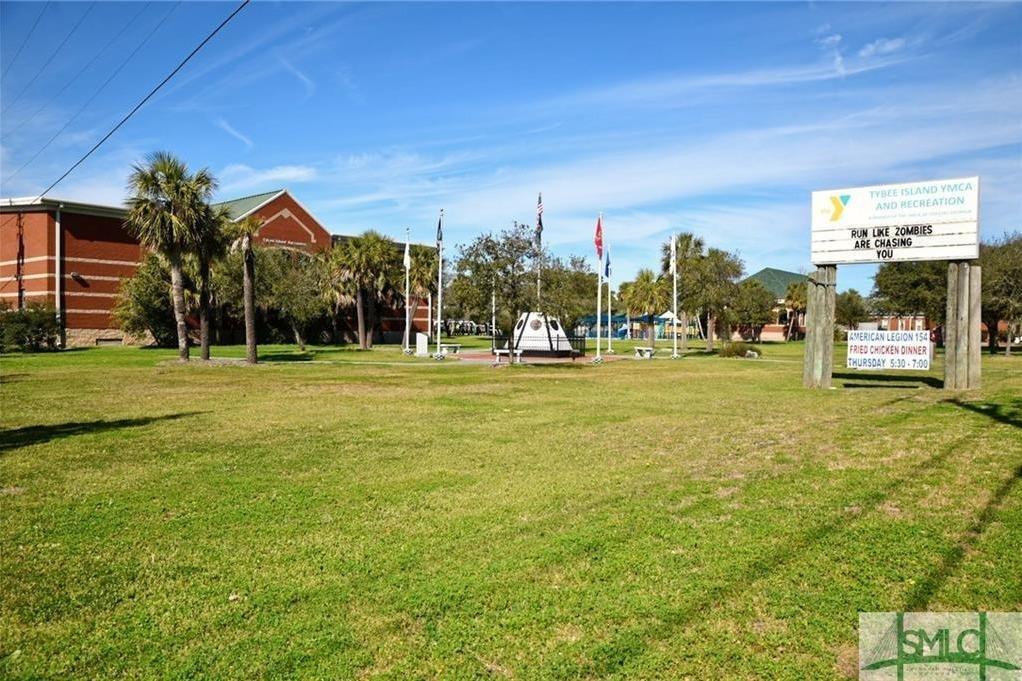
{"type": "Point", "coordinates": [938, 220]}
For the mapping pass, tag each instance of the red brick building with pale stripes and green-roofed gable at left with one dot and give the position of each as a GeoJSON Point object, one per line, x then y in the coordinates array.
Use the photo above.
{"type": "Point", "coordinates": [74, 256]}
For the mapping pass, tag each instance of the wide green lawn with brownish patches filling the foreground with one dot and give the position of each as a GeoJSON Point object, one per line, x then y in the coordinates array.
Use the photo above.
{"type": "Point", "coordinates": [367, 515]}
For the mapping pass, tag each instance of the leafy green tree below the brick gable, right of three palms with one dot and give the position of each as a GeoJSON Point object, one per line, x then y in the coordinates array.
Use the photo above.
{"type": "Point", "coordinates": [297, 283]}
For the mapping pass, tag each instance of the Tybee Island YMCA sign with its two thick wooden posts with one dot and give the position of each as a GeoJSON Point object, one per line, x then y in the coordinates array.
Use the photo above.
{"type": "Point", "coordinates": [919, 221]}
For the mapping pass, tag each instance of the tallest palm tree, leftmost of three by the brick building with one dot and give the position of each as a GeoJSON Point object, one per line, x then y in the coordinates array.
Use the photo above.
{"type": "Point", "coordinates": [165, 213]}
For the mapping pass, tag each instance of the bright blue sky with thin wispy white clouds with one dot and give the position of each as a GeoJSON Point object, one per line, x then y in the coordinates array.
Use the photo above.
{"type": "Point", "coordinates": [717, 119]}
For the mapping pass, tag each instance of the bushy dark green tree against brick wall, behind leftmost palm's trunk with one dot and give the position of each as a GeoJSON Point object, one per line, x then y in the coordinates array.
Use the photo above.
{"type": "Point", "coordinates": [145, 305]}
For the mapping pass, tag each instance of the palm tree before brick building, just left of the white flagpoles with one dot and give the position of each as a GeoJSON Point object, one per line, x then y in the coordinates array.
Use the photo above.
{"type": "Point", "coordinates": [367, 265]}
